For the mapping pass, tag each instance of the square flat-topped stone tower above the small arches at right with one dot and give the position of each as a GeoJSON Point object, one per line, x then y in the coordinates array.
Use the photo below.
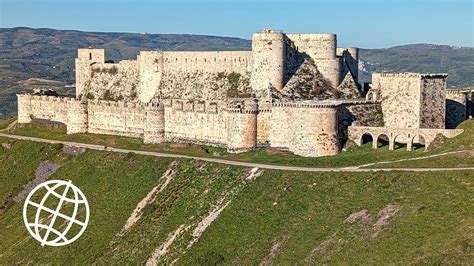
{"type": "Point", "coordinates": [412, 100]}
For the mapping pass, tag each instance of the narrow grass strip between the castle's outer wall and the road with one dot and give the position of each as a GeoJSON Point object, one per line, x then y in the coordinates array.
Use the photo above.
{"type": "Point", "coordinates": [353, 157]}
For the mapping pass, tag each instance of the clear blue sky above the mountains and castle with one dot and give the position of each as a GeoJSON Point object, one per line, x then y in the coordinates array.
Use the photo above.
{"type": "Point", "coordinates": [363, 23]}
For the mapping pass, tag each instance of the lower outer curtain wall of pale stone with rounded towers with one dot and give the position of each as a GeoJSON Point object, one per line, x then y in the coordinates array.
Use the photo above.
{"type": "Point", "coordinates": [306, 129]}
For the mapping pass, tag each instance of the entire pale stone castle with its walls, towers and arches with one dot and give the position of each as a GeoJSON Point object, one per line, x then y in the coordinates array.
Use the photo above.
{"type": "Point", "coordinates": [298, 92]}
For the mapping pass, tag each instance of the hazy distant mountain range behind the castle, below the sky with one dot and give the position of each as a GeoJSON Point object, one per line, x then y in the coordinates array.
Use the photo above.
{"type": "Point", "coordinates": [49, 54]}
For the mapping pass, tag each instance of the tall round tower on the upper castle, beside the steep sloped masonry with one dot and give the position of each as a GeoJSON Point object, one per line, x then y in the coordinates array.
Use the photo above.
{"type": "Point", "coordinates": [268, 53]}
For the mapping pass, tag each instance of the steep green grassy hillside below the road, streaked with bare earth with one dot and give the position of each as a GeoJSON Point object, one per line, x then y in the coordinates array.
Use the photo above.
{"type": "Point", "coordinates": [209, 213]}
